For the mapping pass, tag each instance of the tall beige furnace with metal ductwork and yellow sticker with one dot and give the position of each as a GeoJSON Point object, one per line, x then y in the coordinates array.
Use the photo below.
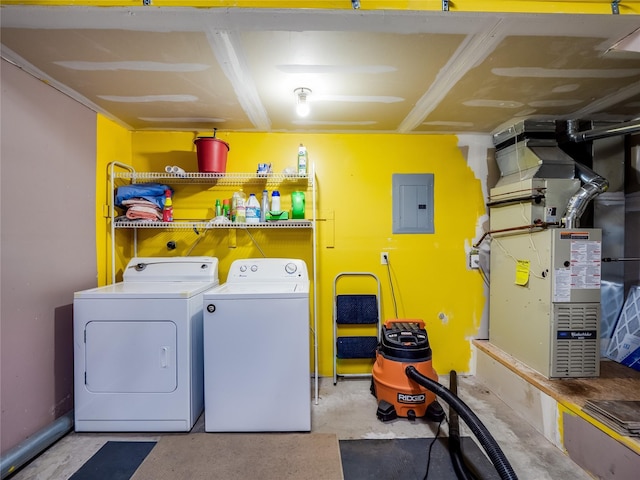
{"type": "Point", "coordinates": [545, 278]}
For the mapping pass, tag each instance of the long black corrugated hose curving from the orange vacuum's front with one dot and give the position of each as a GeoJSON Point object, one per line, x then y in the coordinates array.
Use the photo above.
{"type": "Point", "coordinates": [489, 444]}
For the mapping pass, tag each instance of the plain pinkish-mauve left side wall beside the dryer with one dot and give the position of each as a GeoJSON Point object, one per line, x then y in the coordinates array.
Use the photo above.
{"type": "Point", "coordinates": [47, 231]}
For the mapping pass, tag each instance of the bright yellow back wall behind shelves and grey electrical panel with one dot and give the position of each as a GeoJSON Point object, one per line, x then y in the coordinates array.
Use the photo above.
{"type": "Point", "coordinates": [430, 277]}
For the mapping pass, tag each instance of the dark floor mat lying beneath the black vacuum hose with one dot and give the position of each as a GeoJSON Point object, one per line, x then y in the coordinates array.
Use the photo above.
{"type": "Point", "coordinates": [406, 459]}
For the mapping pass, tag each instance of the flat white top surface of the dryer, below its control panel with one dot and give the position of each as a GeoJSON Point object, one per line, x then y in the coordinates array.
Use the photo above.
{"type": "Point", "coordinates": [139, 290]}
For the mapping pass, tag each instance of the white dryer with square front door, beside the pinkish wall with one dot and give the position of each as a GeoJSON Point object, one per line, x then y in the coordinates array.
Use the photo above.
{"type": "Point", "coordinates": [138, 363]}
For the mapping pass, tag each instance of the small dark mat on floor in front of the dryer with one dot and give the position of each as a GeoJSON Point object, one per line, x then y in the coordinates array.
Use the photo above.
{"type": "Point", "coordinates": [114, 461]}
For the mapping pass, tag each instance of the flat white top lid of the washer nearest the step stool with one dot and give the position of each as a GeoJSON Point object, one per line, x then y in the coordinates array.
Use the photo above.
{"type": "Point", "coordinates": [247, 290]}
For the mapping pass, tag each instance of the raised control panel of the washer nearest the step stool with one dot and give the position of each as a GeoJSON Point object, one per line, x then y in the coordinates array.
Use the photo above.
{"type": "Point", "coordinates": [268, 269]}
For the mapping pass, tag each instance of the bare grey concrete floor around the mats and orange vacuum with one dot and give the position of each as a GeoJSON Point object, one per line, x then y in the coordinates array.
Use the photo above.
{"type": "Point", "coordinates": [349, 410]}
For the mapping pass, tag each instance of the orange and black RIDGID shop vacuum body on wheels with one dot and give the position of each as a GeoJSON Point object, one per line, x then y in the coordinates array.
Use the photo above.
{"type": "Point", "coordinates": [404, 343]}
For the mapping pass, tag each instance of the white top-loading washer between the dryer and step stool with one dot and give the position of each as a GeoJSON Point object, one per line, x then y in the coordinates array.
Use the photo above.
{"type": "Point", "coordinates": [256, 348]}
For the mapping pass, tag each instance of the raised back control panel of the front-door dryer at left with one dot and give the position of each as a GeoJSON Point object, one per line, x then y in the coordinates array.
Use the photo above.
{"type": "Point", "coordinates": [171, 269]}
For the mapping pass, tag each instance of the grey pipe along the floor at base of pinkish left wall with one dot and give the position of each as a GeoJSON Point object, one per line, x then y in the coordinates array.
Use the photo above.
{"type": "Point", "coordinates": [22, 453]}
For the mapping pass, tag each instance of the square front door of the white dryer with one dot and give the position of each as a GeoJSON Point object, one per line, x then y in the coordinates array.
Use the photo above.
{"type": "Point", "coordinates": [130, 356]}
